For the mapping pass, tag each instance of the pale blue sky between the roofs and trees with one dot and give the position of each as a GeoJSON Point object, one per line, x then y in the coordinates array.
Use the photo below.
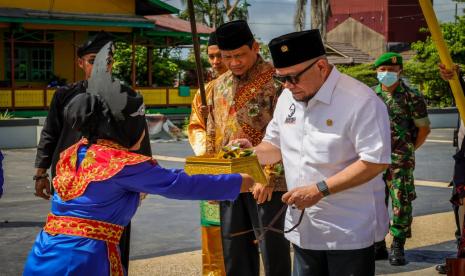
{"type": "Point", "coordinates": [271, 18]}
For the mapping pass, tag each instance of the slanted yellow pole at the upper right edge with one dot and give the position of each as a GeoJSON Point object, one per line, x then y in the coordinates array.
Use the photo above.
{"type": "Point", "coordinates": [444, 54]}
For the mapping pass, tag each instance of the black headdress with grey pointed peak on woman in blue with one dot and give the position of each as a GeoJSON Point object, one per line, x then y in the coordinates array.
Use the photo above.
{"type": "Point", "coordinates": [107, 110]}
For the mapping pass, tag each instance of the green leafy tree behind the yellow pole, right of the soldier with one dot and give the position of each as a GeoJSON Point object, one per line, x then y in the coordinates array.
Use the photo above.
{"type": "Point", "coordinates": [422, 70]}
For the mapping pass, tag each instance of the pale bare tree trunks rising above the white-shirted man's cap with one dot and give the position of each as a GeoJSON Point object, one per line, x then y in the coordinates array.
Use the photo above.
{"type": "Point", "coordinates": [320, 13]}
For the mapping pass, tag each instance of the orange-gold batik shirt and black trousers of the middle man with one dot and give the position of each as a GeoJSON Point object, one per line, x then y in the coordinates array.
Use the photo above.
{"type": "Point", "coordinates": [241, 107]}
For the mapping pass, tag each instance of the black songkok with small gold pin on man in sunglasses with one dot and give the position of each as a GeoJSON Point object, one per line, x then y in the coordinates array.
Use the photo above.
{"type": "Point", "coordinates": [295, 48]}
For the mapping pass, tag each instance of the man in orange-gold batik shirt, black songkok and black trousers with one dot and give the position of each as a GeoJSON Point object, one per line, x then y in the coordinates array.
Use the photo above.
{"type": "Point", "coordinates": [243, 101]}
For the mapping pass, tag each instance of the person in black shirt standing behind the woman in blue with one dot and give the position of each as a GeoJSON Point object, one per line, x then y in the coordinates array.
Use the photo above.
{"type": "Point", "coordinates": [57, 135]}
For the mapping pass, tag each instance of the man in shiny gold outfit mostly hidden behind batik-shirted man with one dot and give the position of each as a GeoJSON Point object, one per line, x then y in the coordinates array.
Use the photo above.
{"type": "Point", "coordinates": [212, 251]}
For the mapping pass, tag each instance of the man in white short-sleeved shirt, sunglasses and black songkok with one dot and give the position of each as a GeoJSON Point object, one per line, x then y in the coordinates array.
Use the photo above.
{"type": "Point", "coordinates": [332, 133]}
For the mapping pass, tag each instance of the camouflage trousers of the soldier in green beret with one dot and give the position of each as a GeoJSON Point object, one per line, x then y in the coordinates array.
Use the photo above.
{"type": "Point", "coordinates": [401, 189]}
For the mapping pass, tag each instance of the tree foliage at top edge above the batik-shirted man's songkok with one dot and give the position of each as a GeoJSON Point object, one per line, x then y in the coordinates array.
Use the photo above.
{"type": "Point", "coordinates": [216, 12]}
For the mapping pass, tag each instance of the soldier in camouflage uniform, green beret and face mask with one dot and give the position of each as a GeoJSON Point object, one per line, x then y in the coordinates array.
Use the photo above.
{"type": "Point", "coordinates": [409, 129]}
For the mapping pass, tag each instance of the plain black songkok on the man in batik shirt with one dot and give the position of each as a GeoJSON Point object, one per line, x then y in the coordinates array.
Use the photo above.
{"type": "Point", "coordinates": [233, 35]}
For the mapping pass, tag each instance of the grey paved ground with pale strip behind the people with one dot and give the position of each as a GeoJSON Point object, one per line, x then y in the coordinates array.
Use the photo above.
{"type": "Point", "coordinates": [165, 238]}
